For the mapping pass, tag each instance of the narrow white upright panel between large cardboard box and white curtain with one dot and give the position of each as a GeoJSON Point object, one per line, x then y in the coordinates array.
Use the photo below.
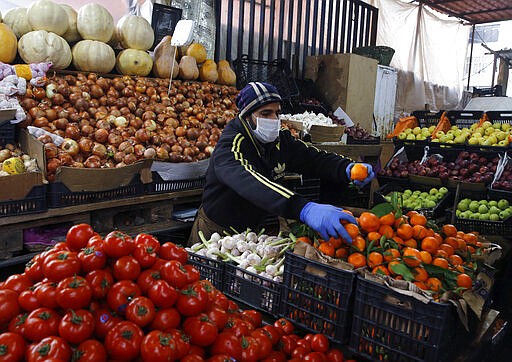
{"type": "Point", "coordinates": [384, 106]}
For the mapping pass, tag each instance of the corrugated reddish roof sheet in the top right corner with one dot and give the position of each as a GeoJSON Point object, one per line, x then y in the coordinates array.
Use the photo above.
{"type": "Point", "coordinates": [474, 11]}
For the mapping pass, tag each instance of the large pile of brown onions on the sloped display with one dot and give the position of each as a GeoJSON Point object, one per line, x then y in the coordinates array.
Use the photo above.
{"type": "Point", "coordinates": [113, 122]}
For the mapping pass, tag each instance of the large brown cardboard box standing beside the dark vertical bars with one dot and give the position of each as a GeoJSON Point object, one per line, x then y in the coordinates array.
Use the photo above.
{"type": "Point", "coordinates": [346, 81]}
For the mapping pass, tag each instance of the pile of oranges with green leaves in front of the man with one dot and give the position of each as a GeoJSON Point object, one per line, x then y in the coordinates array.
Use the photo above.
{"type": "Point", "coordinates": [407, 247]}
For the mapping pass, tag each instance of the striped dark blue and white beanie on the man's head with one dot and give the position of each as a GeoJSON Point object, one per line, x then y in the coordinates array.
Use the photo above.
{"type": "Point", "coordinates": [255, 95]}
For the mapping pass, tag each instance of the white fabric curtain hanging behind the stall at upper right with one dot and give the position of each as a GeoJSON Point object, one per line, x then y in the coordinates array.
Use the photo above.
{"type": "Point", "coordinates": [430, 52]}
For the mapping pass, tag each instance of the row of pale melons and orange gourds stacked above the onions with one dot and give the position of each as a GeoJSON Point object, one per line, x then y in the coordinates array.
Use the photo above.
{"type": "Point", "coordinates": [56, 33]}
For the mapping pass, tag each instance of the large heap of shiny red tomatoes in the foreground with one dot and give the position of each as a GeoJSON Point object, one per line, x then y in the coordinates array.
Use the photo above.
{"type": "Point", "coordinates": [118, 298]}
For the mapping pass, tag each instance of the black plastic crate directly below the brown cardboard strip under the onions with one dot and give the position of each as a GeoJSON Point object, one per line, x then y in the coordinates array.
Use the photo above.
{"type": "Point", "coordinates": [60, 196]}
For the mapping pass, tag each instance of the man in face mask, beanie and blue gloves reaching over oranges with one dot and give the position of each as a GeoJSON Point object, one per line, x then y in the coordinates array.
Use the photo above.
{"type": "Point", "coordinates": [252, 153]}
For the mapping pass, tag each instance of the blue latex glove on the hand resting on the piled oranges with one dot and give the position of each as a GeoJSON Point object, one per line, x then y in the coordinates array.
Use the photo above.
{"type": "Point", "coordinates": [325, 219]}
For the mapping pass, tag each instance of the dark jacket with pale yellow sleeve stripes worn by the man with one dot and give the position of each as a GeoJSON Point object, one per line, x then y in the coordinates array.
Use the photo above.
{"type": "Point", "coordinates": [242, 182]}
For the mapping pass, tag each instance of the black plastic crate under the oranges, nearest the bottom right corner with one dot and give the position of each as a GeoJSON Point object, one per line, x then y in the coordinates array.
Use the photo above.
{"type": "Point", "coordinates": [389, 326]}
